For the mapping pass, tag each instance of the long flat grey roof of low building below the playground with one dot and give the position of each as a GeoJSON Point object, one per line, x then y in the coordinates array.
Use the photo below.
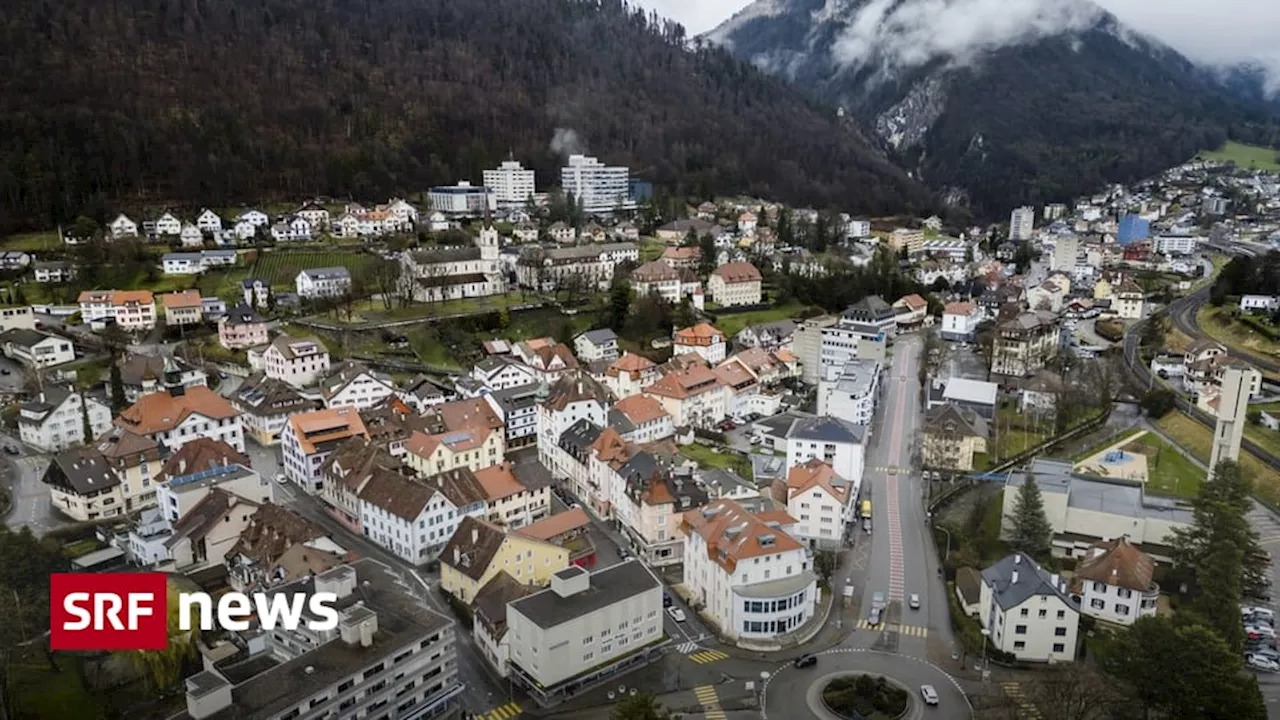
{"type": "Point", "coordinates": [1104, 495]}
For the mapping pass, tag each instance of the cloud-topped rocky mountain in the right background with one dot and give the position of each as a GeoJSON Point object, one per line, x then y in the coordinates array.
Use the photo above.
{"type": "Point", "coordinates": [999, 103]}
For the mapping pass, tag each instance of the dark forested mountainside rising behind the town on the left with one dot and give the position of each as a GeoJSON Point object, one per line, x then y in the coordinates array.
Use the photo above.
{"type": "Point", "coordinates": [147, 103]}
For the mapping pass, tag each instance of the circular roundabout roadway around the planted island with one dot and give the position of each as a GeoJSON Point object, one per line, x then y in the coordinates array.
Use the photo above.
{"type": "Point", "coordinates": [790, 689]}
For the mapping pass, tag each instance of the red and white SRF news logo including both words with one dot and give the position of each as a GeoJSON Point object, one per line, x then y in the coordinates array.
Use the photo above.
{"type": "Point", "coordinates": [131, 612]}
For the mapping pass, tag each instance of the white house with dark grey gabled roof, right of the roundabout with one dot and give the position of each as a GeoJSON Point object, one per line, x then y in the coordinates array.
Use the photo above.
{"type": "Point", "coordinates": [1027, 612]}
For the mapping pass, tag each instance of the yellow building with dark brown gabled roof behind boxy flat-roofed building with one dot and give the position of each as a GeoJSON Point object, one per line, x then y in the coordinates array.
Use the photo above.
{"type": "Point", "coordinates": [479, 550]}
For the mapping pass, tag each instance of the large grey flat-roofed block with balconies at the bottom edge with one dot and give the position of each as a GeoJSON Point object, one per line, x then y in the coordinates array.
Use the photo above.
{"type": "Point", "coordinates": [391, 657]}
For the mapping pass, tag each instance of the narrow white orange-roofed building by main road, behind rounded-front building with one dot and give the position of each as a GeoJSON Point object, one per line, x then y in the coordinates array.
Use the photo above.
{"type": "Point", "coordinates": [822, 503]}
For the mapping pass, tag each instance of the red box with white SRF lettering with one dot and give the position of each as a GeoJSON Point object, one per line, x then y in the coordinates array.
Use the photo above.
{"type": "Point", "coordinates": [108, 612]}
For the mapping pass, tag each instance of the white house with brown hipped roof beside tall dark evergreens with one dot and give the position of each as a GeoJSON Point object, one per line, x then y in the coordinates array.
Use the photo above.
{"type": "Point", "coordinates": [1114, 582]}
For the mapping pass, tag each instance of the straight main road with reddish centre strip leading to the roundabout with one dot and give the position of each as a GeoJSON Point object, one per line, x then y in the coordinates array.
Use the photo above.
{"type": "Point", "coordinates": [902, 560]}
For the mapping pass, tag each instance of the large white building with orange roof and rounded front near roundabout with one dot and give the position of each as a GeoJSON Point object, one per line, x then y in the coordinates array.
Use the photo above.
{"type": "Point", "coordinates": [748, 572]}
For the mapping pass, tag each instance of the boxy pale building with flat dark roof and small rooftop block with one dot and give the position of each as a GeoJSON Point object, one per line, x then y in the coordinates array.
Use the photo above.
{"type": "Point", "coordinates": [595, 623]}
